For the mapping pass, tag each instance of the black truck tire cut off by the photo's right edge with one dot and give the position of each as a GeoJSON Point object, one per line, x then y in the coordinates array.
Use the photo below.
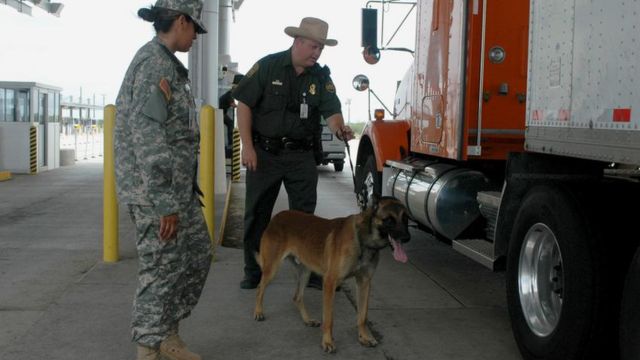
{"type": "Point", "coordinates": [629, 314]}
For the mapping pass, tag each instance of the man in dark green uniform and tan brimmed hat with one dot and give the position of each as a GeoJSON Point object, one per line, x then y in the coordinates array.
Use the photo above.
{"type": "Point", "coordinates": [280, 102]}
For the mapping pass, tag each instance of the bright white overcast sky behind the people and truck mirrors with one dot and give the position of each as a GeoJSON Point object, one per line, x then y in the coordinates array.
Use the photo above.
{"type": "Point", "coordinates": [92, 43]}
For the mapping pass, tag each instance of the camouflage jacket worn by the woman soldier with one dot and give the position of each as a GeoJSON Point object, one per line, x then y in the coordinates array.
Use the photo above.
{"type": "Point", "coordinates": [156, 136]}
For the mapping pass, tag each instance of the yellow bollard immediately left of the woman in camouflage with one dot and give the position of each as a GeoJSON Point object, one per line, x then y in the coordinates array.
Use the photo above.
{"type": "Point", "coordinates": [110, 203]}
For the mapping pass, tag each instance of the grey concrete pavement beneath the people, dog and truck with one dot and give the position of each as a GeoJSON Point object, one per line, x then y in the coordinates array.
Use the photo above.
{"type": "Point", "coordinates": [58, 300]}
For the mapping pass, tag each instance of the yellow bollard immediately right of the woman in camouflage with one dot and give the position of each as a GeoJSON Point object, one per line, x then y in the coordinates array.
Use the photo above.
{"type": "Point", "coordinates": [207, 172]}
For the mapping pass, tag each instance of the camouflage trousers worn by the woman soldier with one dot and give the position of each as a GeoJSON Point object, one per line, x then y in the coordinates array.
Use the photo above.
{"type": "Point", "coordinates": [171, 275]}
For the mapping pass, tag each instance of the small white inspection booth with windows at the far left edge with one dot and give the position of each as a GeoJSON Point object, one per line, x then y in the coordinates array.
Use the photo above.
{"type": "Point", "coordinates": [29, 127]}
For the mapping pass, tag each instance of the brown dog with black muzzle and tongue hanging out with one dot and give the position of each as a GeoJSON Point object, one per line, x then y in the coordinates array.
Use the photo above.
{"type": "Point", "coordinates": [337, 249]}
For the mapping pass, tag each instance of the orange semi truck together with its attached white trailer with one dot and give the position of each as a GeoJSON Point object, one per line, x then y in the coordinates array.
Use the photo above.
{"type": "Point", "coordinates": [516, 138]}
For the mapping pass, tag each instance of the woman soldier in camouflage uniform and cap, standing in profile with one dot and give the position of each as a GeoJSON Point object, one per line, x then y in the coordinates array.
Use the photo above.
{"type": "Point", "coordinates": [156, 144]}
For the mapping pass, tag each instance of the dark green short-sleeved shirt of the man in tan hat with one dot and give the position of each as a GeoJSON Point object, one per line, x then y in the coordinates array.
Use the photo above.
{"type": "Point", "coordinates": [274, 92]}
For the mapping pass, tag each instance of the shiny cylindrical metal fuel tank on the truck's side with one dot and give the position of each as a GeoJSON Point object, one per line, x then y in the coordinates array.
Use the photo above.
{"type": "Point", "coordinates": [438, 195]}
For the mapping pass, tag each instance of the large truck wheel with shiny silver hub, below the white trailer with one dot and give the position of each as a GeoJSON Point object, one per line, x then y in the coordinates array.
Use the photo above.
{"type": "Point", "coordinates": [553, 291]}
